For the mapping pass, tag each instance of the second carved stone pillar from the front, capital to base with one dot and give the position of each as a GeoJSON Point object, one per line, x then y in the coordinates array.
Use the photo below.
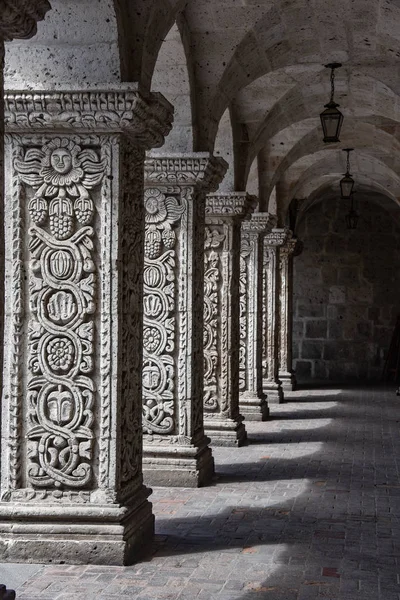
{"type": "Point", "coordinates": [176, 449]}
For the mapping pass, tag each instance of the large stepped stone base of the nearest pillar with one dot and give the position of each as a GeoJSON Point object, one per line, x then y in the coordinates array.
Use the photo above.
{"type": "Point", "coordinates": [102, 534]}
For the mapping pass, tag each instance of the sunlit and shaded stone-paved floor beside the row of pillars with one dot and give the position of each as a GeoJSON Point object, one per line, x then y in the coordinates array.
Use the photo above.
{"type": "Point", "coordinates": [308, 510]}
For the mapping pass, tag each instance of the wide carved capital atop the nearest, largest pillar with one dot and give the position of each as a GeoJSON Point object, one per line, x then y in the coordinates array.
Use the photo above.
{"type": "Point", "coordinates": [120, 110]}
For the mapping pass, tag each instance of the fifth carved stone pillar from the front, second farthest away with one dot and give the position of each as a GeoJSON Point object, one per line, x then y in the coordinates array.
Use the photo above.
{"type": "Point", "coordinates": [271, 383]}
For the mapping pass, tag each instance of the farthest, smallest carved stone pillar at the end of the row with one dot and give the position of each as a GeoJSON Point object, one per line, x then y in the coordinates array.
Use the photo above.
{"type": "Point", "coordinates": [286, 254]}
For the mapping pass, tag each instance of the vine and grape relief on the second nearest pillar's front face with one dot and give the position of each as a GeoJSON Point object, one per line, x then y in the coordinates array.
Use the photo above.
{"type": "Point", "coordinates": [162, 215]}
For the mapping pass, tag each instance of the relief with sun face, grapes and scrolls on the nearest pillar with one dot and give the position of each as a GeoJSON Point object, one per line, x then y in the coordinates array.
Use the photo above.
{"type": "Point", "coordinates": [62, 289]}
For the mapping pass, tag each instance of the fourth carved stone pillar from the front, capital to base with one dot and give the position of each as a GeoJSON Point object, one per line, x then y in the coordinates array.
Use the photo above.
{"type": "Point", "coordinates": [252, 400]}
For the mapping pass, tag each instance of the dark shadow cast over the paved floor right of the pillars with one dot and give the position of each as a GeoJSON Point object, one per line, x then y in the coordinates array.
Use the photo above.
{"type": "Point", "coordinates": [333, 539]}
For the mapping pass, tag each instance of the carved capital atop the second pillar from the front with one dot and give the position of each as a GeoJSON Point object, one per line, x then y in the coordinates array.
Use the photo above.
{"type": "Point", "coordinates": [200, 168]}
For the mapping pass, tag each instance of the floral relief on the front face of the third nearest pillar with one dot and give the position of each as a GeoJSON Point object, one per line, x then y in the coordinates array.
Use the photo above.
{"type": "Point", "coordinates": [212, 308]}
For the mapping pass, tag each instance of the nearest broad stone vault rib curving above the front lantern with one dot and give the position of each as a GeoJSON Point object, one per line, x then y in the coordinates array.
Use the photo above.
{"type": "Point", "coordinates": [286, 37]}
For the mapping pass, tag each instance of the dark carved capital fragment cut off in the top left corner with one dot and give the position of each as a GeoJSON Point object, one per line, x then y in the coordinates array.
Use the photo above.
{"type": "Point", "coordinates": [18, 18]}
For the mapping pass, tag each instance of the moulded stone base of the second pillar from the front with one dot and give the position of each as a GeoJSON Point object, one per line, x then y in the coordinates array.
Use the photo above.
{"type": "Point", "coordinates": [175, 465]}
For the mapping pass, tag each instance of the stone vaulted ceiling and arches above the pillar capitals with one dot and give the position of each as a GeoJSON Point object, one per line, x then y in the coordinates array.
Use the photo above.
{"type": "Point", "coordinates": [262, 61]}
